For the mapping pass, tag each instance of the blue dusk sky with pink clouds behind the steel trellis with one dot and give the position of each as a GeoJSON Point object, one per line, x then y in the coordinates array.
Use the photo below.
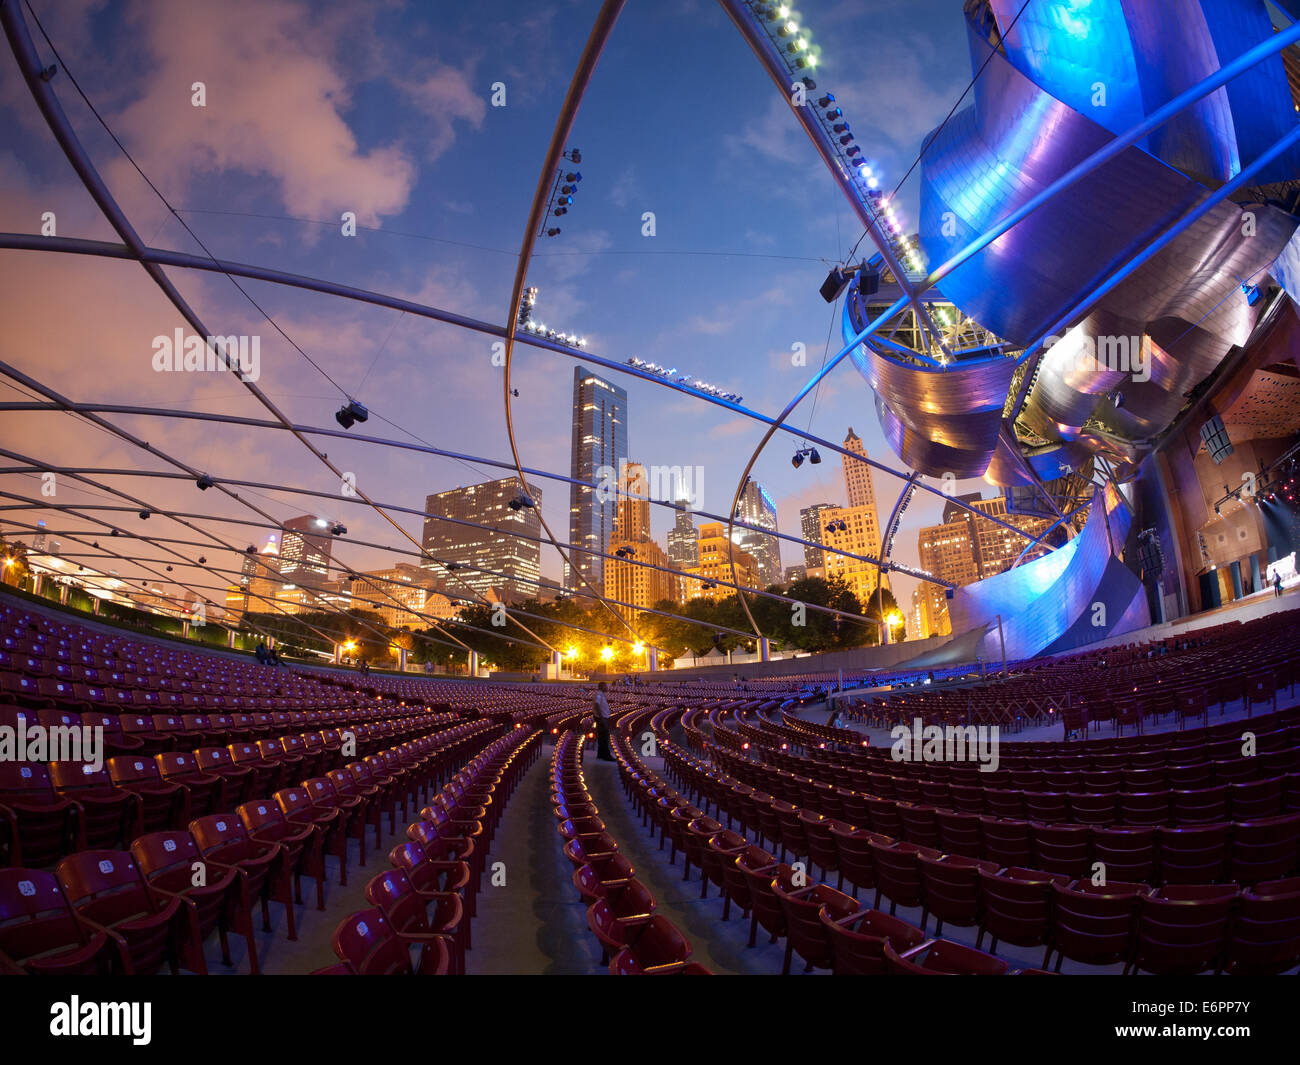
{"type": "Point", "coordinates": [388, 111]}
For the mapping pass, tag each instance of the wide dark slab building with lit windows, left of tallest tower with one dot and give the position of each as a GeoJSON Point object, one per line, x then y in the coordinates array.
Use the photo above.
{"type": "Point", "coordinates": [500, 553]}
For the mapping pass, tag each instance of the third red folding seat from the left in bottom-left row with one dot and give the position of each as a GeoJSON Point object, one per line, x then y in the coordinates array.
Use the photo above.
{"type": "Point", "coordinates": [168, 863]}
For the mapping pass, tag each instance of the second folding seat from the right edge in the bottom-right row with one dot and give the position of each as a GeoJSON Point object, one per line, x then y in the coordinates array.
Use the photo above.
{"type": "Point", "coordinates": [1182, 929]}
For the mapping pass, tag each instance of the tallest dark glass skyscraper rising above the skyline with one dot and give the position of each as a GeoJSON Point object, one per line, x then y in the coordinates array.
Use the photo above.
{"type": "Point", "coordinates": [599, 443]}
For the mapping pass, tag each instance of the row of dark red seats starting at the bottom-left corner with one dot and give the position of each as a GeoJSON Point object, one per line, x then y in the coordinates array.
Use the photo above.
{"type": "Point", "coordinates": [131, 911]}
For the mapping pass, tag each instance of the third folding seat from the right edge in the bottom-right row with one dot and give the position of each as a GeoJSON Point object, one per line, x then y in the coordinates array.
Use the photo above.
{"type": "Point", "coordinates": [1094, 924]}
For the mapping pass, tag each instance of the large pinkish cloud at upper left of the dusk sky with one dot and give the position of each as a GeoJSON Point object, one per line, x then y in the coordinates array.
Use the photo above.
{"type": "Point", "coordinates": [248, 54]}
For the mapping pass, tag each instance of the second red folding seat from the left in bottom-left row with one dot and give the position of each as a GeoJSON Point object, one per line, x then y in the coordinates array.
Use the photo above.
{"type": "Point", "coordinates": [109, 895]}
